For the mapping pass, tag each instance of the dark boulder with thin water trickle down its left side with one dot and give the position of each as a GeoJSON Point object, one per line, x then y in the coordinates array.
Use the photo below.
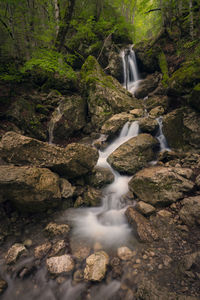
{"type": "Point", "coordinates": [71, 120]}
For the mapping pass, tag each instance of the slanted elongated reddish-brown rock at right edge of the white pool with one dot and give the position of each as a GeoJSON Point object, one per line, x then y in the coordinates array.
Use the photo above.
{"type": "Point", "coordinates": [144, 229]}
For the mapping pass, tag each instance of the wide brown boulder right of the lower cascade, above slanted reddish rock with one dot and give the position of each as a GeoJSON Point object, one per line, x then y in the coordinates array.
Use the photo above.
{"type": "Point", "coordinates": [160, 185]}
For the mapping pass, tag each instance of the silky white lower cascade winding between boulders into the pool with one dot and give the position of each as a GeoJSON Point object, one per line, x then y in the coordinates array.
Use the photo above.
{"type": "Point", "coordinates": [107, 224]}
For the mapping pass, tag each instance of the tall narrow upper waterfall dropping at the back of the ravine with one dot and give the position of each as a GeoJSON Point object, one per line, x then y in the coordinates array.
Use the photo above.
{"type": "Point", "coordinates": [130, 70]}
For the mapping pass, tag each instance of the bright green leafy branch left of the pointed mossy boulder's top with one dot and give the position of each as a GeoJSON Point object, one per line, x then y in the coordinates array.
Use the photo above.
{"type": "Point", "coordinates": [50, 61]}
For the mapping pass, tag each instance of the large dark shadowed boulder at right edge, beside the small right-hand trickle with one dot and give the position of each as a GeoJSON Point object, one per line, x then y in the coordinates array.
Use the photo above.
{"type": "Point", "coordinates": [181, 127]}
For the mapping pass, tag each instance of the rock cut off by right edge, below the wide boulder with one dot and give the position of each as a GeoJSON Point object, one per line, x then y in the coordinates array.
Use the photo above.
{"type": "Point", "coordinates": [190, 212]}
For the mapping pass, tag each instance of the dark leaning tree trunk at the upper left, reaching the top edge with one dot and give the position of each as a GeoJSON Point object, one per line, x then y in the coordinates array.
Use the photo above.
{"type": "Point", "coordinates": [64, 27]}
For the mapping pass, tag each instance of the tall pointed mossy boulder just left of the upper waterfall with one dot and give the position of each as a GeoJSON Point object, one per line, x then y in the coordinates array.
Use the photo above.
{"type": "Point", "coordinates": [105, 95]}
